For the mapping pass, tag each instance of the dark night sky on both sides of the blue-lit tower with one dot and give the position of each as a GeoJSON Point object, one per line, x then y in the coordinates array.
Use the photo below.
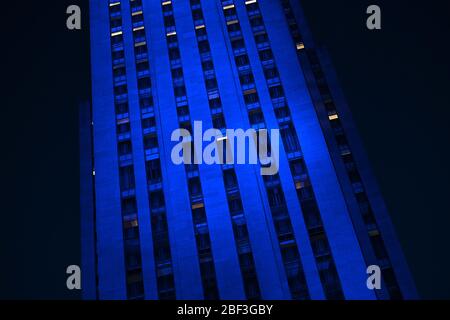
{"type": "Point", "coordinates": [396, 81]}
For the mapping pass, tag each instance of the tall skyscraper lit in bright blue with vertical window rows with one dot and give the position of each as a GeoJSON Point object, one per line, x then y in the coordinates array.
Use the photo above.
{"type": "Point", "coordinates": [159, 230]}
